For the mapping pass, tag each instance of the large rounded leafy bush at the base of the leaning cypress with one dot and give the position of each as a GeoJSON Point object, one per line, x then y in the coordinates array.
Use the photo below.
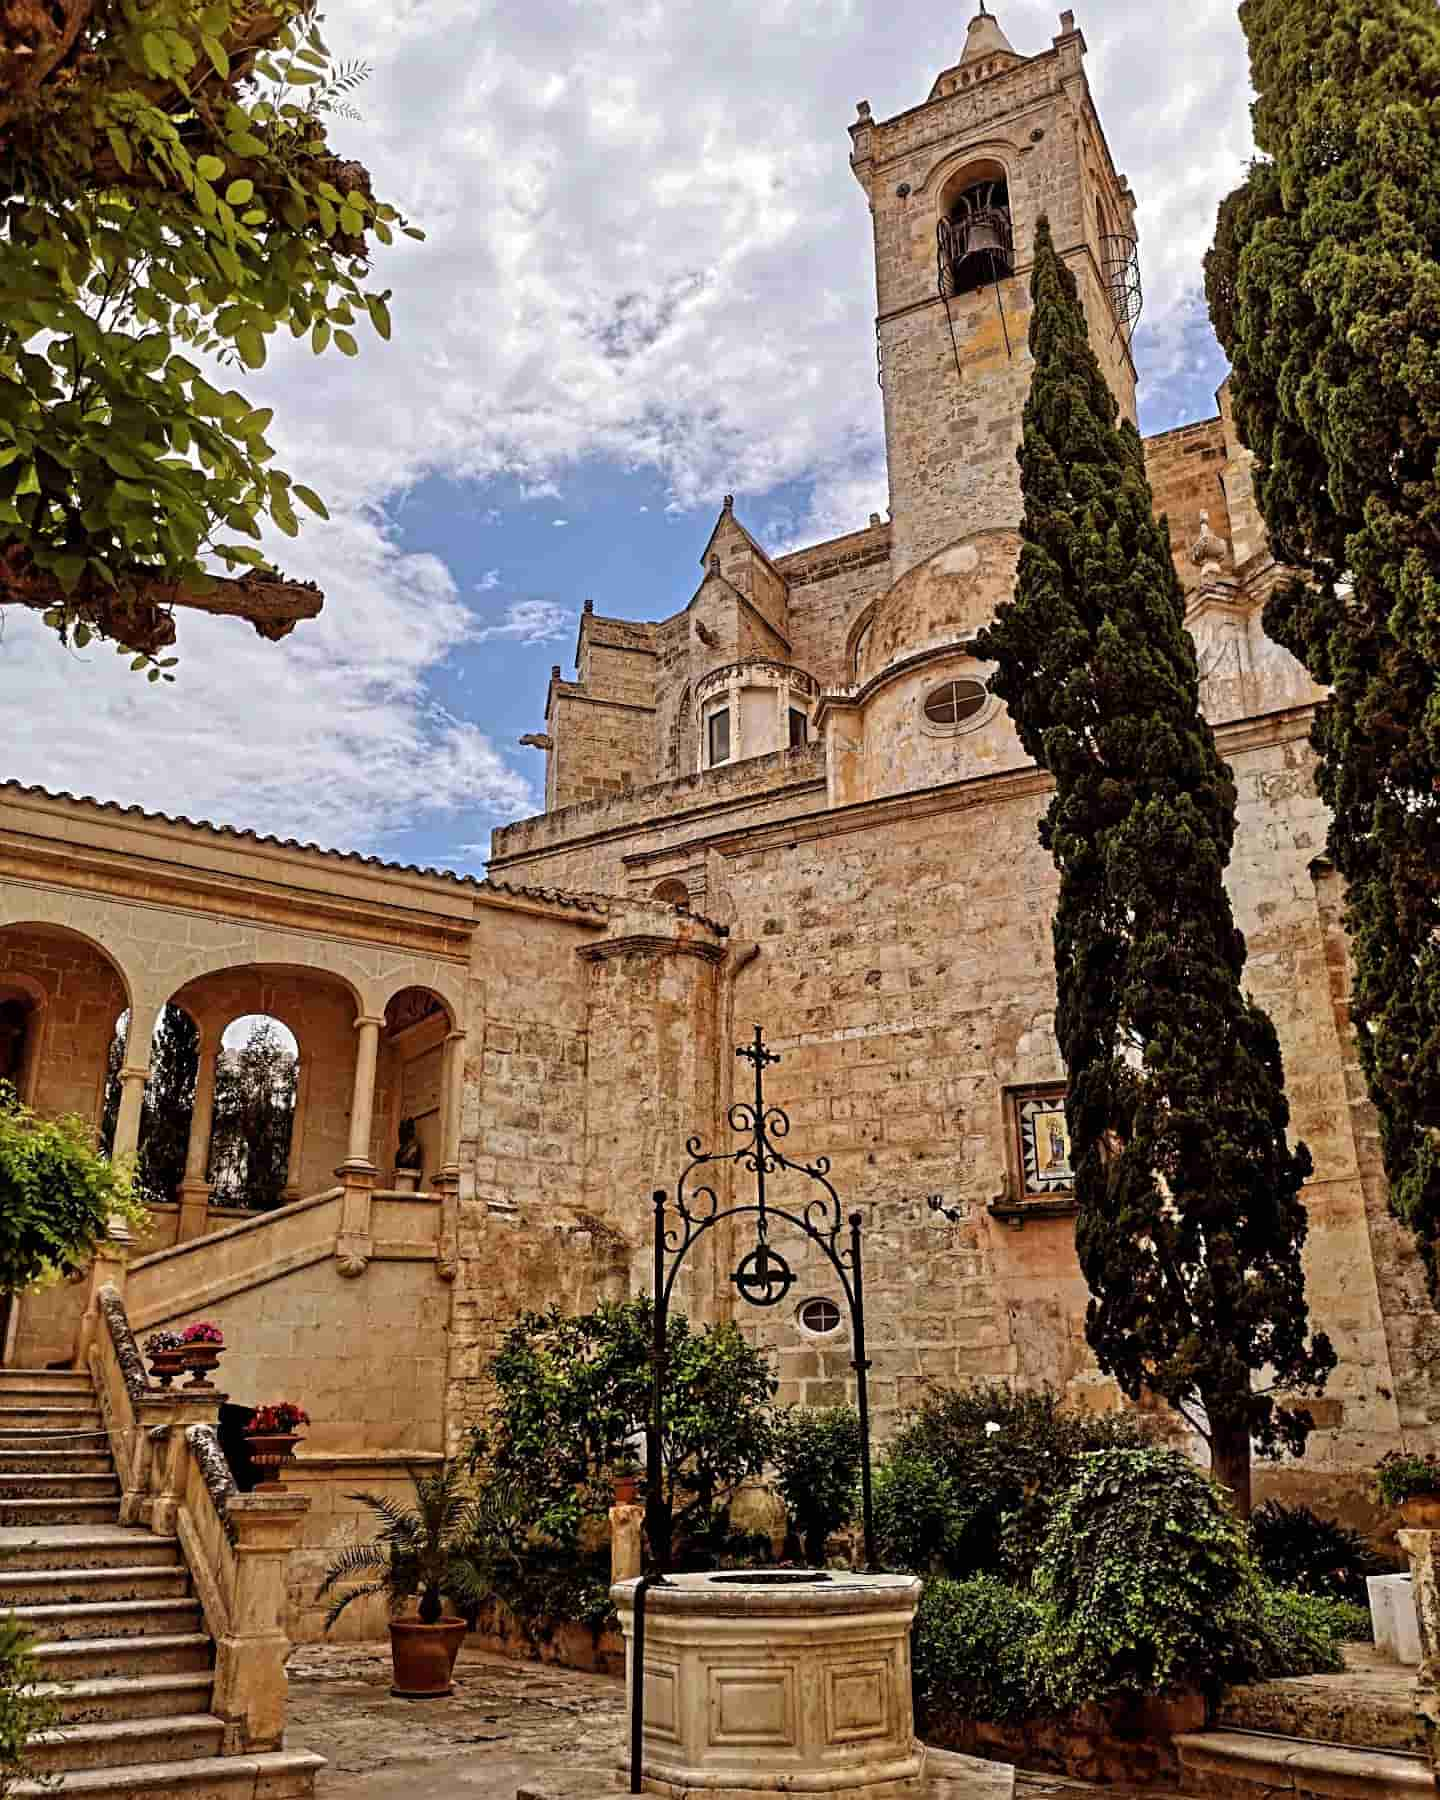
{"type": "Point", "coordinates": [1147, 1581]}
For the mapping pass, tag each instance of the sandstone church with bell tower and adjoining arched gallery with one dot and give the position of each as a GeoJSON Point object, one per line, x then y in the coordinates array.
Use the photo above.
{"type": "Point", "coordinates": [793, 804]}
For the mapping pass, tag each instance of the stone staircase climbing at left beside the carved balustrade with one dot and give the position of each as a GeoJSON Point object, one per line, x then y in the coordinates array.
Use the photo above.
{"type": "Point", "coordinates": [120, 1633]}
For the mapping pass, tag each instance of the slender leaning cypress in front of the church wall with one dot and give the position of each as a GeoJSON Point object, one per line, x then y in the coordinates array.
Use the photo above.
{"type": "Point", "coordinates": [1191, 1225]}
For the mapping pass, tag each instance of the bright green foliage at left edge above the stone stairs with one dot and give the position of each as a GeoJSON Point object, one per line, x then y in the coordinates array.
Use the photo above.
{"type": "Point", "coordinates": [58, 1196]}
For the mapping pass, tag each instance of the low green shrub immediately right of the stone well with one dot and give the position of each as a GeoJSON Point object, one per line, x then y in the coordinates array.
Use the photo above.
{"type": "Point", "coordinates": [971, 1651]}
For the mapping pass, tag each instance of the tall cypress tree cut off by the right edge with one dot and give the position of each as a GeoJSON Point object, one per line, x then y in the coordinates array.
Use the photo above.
{"type": "Point", "coordinates": [1324, 287]}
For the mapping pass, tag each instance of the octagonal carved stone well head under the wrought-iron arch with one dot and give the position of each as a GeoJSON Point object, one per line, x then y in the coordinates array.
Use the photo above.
{"type": "Point", "coordinates": [777, 1682]}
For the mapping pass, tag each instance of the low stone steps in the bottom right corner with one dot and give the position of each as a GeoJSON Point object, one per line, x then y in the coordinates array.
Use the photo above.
{"type": "Point", "coordinates": [1344, 1738]}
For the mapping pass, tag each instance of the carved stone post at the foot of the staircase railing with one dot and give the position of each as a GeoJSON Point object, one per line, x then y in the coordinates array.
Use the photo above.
{"type": "Point", "coordinates": [249, 1671]}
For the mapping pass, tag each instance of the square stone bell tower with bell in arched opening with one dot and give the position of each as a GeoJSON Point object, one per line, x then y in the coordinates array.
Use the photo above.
{"type": "Point", "coordinates": [955, 188]}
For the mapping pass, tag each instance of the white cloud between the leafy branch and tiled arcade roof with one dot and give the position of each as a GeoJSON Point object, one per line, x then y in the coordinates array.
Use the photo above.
{"type": "Point", "coordinates": [328, 737]}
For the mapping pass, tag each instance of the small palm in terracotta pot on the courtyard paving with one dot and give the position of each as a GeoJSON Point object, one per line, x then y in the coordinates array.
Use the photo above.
{"type": "Point", "coordinates": [417, 1556]}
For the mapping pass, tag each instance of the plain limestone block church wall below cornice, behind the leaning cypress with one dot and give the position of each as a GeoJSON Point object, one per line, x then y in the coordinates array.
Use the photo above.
{"type": "Point", "coordinates": [904, 971]}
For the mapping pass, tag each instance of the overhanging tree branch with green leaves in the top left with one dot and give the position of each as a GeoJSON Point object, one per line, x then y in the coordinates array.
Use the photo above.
{"type": "Point", "coordinates": [170, 204]}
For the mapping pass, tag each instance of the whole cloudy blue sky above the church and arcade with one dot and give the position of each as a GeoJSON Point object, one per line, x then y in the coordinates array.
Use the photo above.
{"type": "Point", "coordinates": [645, 283]}
